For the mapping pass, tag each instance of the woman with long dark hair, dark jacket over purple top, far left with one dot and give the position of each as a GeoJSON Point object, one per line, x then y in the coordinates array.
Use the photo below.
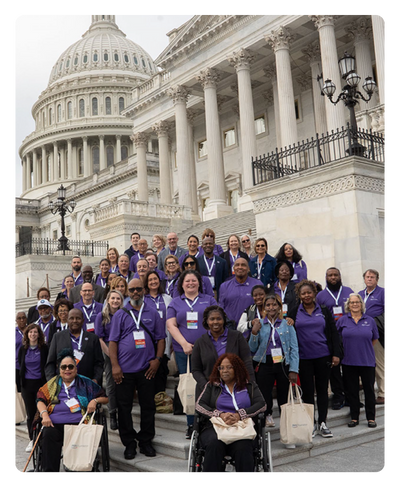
{"type": "Point", "coordinates": [32, 358]}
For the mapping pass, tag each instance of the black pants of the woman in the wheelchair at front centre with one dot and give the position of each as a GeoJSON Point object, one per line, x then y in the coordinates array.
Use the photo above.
{"type": "Point", "coordinates": [241, 451]}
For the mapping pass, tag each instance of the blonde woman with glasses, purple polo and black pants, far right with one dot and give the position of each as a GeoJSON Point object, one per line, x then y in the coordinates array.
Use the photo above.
{"type": "Point", "coordinates": [359, 333]}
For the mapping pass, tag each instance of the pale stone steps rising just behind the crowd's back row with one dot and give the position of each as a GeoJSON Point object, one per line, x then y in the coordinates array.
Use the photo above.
{"type": "Point", "coordinates": [238, 223]}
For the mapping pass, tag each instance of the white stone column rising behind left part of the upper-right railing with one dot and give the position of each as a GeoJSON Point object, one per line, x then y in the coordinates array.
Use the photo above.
{"type": "Point", "coordinates": [280, 42]}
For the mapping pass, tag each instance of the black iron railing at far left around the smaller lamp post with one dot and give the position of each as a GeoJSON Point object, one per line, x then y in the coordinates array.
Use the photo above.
{"type": "Point", "coordinates": [47, 246]}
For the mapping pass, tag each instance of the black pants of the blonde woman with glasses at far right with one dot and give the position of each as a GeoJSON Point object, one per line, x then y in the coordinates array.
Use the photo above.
{"type": "Point", "coordinates": [351, 376]}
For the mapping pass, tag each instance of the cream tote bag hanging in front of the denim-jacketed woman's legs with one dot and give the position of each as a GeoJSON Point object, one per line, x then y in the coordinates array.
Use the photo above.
{"type": "Point", "coordinates": [297, 420]}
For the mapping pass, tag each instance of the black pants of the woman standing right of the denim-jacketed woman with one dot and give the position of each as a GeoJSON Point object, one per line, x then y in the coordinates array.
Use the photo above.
{"type": "Point", "coordinates": [317, 370]}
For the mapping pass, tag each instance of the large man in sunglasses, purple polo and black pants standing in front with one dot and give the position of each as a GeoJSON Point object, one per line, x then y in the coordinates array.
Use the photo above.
{"type": "Point", "coordinates": [137, 343]}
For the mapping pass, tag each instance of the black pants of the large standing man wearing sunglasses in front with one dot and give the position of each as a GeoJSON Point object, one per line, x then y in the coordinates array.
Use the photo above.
{"type": "Point", "coordinates": [125, 392]}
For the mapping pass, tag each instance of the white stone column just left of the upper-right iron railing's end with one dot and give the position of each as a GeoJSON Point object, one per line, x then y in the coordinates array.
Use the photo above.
{"type": "Point", "coordinates": [241, 60]}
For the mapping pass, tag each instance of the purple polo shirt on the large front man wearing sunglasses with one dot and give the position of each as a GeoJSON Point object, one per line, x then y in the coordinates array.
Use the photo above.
{"type": "Point", "coordinates": [135, 345]}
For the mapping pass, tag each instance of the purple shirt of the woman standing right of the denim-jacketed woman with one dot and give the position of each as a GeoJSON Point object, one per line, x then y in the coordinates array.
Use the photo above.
{"type": "Point", "coordinates": [310, 330]}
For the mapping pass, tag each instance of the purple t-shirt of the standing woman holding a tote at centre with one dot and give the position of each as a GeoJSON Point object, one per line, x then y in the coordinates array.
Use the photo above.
{"type": "Point", "coordinates": [189, 326]}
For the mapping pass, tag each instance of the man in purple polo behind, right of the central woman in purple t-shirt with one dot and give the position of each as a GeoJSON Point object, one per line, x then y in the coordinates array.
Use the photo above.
{"type": "Point", "coordinates": [235, 294]}
